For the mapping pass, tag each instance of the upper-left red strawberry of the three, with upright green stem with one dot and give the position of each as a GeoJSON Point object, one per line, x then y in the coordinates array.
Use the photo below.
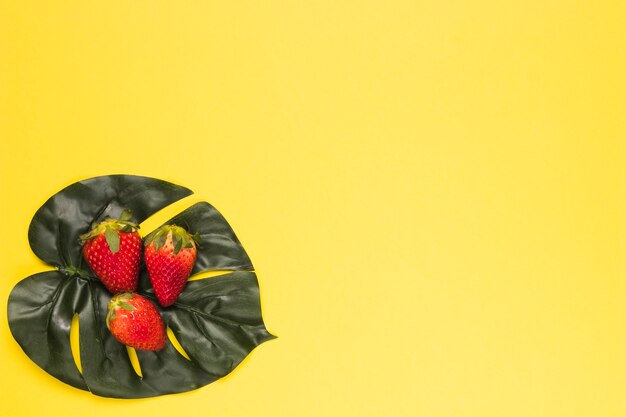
{"type": "Point", "coordinates": [113, 251]}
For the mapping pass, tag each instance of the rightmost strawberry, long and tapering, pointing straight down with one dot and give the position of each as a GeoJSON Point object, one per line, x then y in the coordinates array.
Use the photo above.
{"type": "Point", "coordinates": [170, 253]}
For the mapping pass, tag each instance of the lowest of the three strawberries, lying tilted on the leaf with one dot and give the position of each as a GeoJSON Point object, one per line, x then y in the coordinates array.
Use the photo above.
{"type": "Point", "coordinates": [134, 321]}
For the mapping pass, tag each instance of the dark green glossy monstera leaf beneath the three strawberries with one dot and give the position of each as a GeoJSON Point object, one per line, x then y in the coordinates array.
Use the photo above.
{"type": "Point", "coordinates": [216, 320]}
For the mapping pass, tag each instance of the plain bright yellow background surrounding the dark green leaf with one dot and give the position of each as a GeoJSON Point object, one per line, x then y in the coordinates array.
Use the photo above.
{"type": "Point", "coordinates": [432, 192]}
